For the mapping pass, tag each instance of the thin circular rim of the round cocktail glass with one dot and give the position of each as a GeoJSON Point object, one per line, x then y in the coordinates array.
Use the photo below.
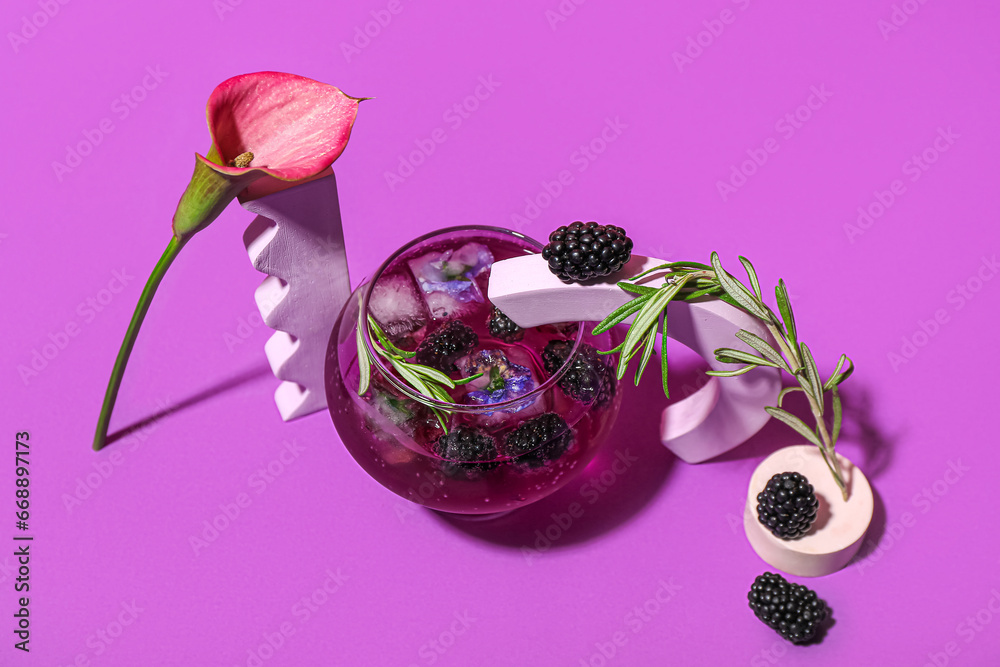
{"type": "Point", "coordinates": [512, 405]}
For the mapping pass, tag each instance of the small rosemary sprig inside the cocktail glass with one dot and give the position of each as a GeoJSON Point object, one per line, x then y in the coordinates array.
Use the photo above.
{"type": "Point", "coordinates": [426, 381]}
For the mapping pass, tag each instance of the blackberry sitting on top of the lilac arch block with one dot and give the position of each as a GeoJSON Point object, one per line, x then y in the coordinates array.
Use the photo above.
{"type": "Point", "coordinates": [582, 251]}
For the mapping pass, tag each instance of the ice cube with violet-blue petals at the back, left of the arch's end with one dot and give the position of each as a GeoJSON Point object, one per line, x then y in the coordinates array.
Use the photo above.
{"type": "Point", "coordinates": [447, 279]}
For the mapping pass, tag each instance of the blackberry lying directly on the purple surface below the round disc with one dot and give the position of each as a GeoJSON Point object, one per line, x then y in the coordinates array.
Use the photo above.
{"type": "Point", "coordinates": [792, 610]}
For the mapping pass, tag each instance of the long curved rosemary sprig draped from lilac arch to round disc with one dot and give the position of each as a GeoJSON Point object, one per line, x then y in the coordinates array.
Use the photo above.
{"type": "Point", "coordinates": [688, 281]}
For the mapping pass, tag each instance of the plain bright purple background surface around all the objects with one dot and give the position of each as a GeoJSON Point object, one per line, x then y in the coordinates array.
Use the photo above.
{"type": "Point", "coordinates": [889, 90]}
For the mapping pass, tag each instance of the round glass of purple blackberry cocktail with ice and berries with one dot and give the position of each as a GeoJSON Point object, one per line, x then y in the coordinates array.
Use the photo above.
{"type": "Point", "coordinates": [539, 405]}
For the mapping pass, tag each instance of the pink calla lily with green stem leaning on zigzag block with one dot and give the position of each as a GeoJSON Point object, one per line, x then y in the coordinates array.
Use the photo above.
{"type": "Point", "coordinates": [266, 125]}
